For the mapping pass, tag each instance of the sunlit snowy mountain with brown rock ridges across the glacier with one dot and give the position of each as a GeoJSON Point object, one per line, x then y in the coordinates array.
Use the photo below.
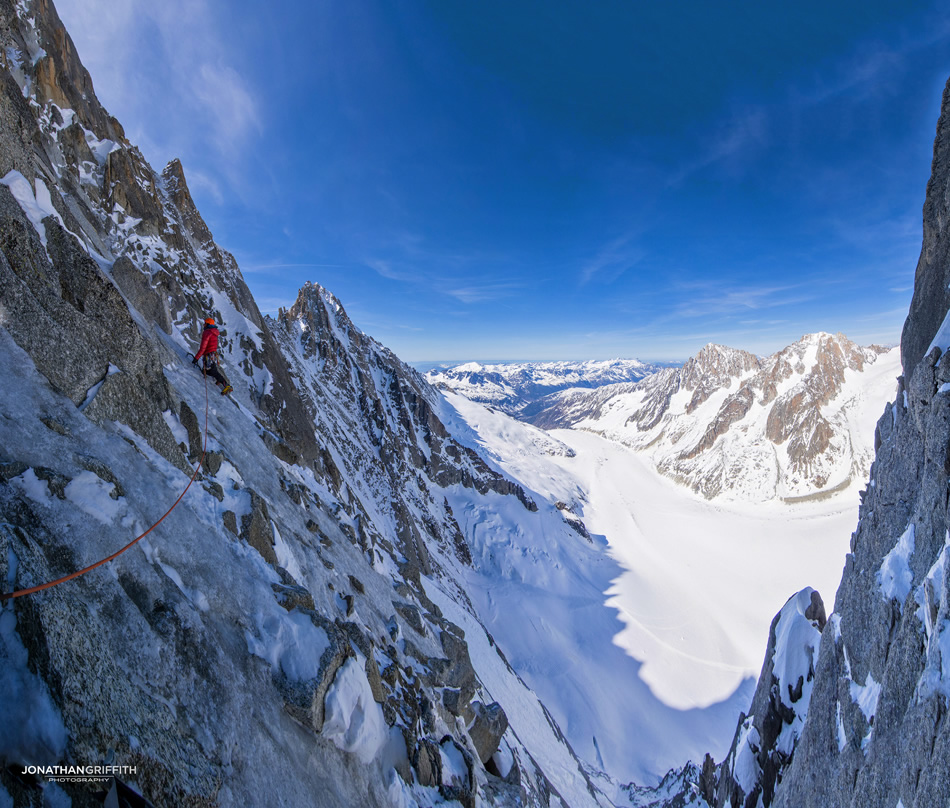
{"type": "Point", "coordinates": [729, 424]}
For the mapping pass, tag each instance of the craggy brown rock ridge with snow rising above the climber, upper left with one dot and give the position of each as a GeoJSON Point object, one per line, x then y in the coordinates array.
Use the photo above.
{"type": "Point", "coordinates": [102, 190]}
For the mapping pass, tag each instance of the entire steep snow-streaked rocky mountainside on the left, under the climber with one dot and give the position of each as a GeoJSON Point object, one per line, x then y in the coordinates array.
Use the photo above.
{"type": "Point", "coordinates": [274, 641]}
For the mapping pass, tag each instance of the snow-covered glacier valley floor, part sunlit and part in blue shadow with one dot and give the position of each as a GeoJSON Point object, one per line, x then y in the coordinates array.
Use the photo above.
{"type": "Point", "coordinates": [665, 629]}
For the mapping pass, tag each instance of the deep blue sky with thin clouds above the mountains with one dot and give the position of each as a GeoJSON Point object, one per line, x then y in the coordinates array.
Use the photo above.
{"type": "Point", "coordinates": [547, 179]}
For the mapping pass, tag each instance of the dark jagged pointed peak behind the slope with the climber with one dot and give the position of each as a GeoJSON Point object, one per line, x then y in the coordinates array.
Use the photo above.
{"type": "Point", "coordinates": [388, 405]}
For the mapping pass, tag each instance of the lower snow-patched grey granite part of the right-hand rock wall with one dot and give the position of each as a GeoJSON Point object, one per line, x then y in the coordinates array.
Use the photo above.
{"type": "Point", "coordinates": [875, 733]}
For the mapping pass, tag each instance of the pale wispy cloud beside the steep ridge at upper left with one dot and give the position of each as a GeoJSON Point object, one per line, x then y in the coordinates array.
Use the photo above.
{"type": "Point", "coordinates": [171, 74]}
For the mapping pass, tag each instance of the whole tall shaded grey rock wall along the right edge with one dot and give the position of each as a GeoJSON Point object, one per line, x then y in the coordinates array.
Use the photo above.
{"type": "Point", "coordinates": [876, 733]}
